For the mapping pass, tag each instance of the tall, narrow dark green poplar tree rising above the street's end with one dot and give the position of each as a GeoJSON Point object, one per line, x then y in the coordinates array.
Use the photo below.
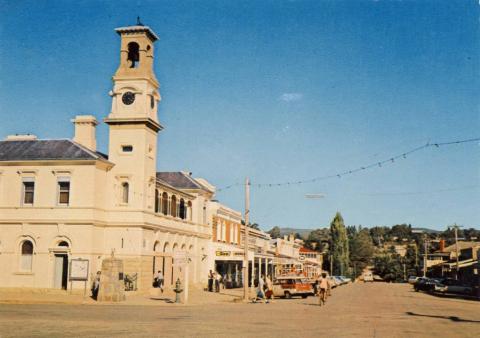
{"type": "Point", "coordinates": [339, 246]}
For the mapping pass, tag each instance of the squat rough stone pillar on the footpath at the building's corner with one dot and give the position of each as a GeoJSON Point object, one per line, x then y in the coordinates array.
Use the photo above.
{"type": "Point", "coordinates": [112, 286]}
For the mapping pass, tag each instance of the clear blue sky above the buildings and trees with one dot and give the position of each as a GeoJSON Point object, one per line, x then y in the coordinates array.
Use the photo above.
{"type": "Point", "coordinates": [277, 91]}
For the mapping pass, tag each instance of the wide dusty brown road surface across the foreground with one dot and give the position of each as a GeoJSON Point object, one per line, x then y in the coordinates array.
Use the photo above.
{"type": "Point", "coordinates": [359, 310]}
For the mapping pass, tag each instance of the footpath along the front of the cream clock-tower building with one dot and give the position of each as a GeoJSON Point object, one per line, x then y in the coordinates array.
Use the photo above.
{"type": "Point", "coordinates": [152, 297]}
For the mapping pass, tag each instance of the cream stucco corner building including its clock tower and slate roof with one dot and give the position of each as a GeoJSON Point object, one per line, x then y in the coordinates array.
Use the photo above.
{"type": "Point", "coordinates": [62, 199]}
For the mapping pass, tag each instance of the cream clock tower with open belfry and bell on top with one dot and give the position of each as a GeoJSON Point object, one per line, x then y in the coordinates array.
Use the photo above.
{"type": "Point", "coordinates": [133, 120]}
